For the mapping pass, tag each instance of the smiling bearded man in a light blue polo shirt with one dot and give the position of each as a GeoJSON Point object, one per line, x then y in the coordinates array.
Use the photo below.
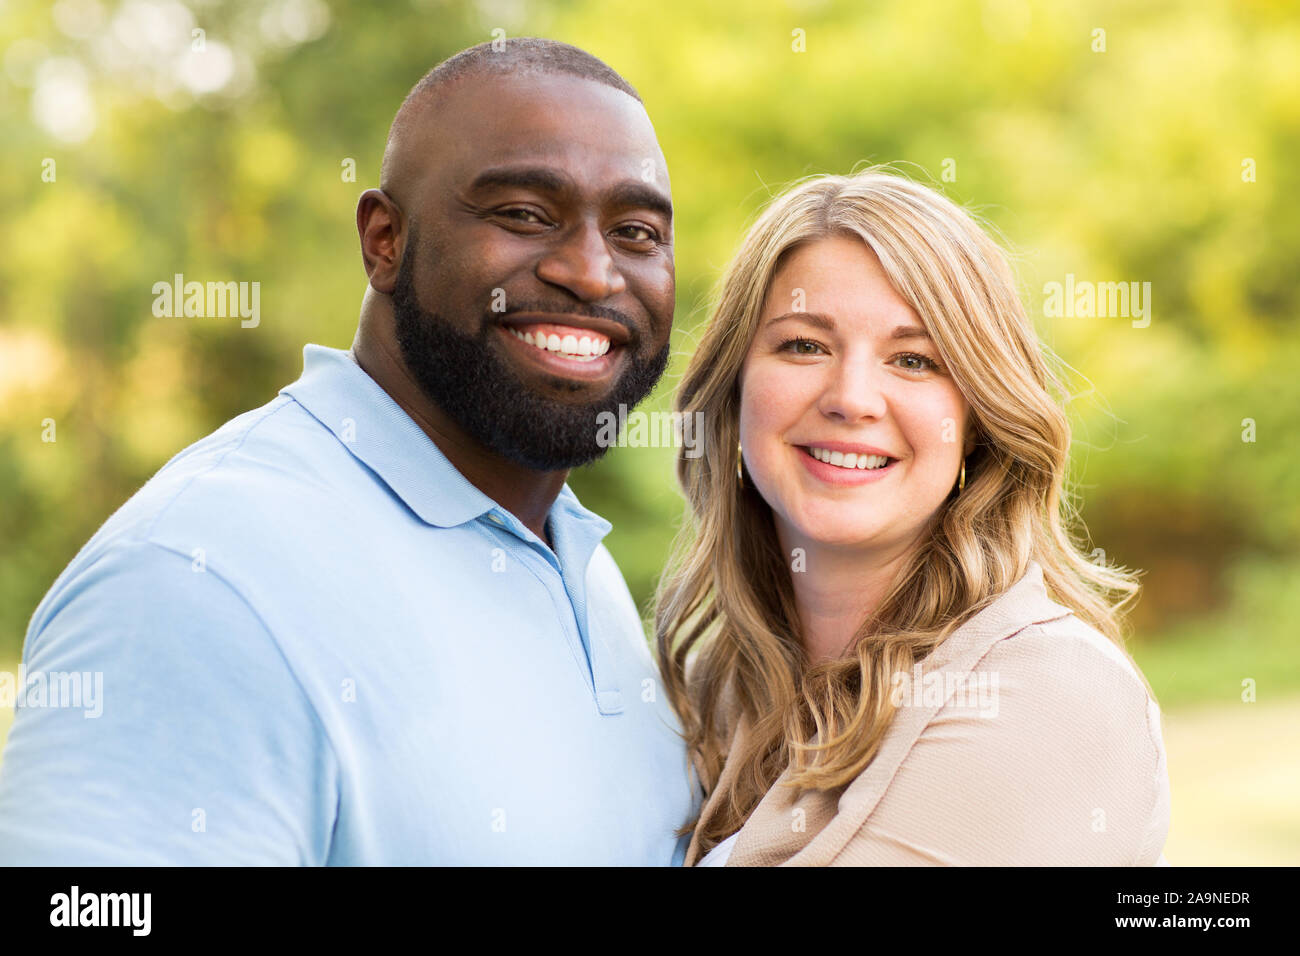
{"type": "Point", "coordinates": [369, 622]}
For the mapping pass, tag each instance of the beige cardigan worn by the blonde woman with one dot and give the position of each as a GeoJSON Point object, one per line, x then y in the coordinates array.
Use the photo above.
{"type": "Point", "coordinates": [1026, 738]}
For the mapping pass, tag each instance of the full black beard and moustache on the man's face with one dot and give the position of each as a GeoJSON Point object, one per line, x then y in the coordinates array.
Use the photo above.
{"type": "Point", "coordinates": [463, 377]}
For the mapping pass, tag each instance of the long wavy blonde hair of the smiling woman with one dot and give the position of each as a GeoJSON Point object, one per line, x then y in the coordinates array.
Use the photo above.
{"type": "Point", "coordinates": [726, 602]}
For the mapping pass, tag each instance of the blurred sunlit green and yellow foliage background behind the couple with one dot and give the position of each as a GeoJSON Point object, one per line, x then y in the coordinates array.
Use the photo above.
{"type": "Point", "coordinates": [1106, 141]}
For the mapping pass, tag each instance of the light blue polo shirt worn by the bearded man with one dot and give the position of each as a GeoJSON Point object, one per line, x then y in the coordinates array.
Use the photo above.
{"type": "Point", "coordinates": [320, 644]}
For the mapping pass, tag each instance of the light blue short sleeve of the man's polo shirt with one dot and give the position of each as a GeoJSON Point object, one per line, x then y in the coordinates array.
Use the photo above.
{"type": "Point", "coordinates": [188, 741]}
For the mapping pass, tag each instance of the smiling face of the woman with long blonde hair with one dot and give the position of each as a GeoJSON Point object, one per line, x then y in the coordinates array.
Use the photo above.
{"type": "Point", "coordinates": [843, 369]}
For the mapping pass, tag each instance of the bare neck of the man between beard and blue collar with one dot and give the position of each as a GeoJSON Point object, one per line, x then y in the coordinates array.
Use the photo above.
{"type": "Point", "coordinates": [526, 494]}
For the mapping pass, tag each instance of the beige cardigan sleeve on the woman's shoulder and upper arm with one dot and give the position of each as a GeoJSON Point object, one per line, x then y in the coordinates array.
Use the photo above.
{"type": "Point", "coordinates": [1048, 755]}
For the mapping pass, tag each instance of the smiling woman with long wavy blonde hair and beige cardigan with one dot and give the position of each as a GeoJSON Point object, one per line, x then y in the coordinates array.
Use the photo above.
{"type": "Point", "coordinates": [883, 641]}
